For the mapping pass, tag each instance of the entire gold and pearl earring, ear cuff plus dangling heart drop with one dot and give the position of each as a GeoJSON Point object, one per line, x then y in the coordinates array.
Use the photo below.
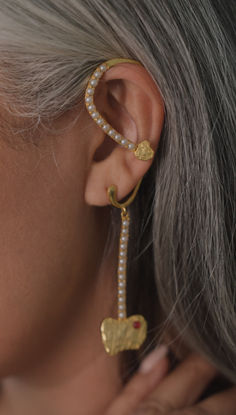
{"type": "Point", "coordinates": [124, 333]}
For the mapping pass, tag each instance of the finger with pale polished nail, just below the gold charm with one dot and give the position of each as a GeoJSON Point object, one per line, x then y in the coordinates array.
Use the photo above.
{"type": "Point", "coordinates": [142, 383]}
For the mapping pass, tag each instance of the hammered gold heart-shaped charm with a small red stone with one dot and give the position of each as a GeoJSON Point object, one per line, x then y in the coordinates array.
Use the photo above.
{"type": "Point", "coordinates": [123, 334]}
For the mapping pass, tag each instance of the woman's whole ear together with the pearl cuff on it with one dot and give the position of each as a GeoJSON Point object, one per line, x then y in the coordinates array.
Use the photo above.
{"type": "Point", "coordinates": [134, 122]}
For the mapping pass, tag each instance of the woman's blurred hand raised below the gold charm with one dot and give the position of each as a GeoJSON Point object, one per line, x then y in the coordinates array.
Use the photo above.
{"type": "Point", "coordinates": [158, 392]}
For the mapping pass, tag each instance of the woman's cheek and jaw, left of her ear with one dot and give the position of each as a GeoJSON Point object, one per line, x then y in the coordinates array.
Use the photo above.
{"type": "Point", "coordinates": [41, 259]}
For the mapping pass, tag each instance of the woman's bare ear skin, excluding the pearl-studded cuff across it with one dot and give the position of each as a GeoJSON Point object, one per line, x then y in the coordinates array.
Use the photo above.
{"type": "Point", "coordinates": [129, 99]}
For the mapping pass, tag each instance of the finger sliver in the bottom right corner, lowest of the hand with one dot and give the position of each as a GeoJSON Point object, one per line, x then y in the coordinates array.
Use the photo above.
{"type": "Point", "coordinates": [222, 403]}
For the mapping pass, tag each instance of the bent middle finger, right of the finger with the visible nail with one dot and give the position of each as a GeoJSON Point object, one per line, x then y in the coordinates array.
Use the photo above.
{"type": "Point", "coordinates": [184, 385]}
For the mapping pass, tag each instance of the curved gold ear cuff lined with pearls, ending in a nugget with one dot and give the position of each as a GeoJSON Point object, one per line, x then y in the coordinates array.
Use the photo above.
{"type": "Point", "coordinates": [142, 151]}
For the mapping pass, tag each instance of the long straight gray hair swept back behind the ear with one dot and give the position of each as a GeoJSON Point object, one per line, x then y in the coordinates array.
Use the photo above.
{"type": "Point", "coordinates": [182, 253]}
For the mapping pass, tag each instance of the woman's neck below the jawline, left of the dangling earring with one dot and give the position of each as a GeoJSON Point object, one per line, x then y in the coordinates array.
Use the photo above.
{"type": "Point", "coordinates": [77, 367]}
